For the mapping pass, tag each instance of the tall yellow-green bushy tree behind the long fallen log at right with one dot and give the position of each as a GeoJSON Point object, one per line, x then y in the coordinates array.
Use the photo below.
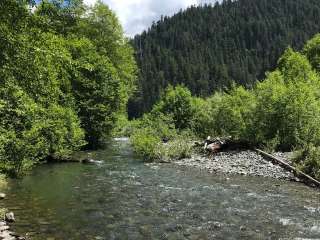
{"type": "Point", "coordinates": [287, 104]}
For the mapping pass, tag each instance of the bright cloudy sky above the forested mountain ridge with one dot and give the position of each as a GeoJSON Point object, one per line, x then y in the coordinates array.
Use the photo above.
{"type": "Point", "coordinates": [137, 15]}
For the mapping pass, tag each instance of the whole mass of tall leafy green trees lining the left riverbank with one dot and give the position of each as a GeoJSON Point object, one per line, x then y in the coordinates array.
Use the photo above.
{"type": "Point", "coordinates": [66, 72]}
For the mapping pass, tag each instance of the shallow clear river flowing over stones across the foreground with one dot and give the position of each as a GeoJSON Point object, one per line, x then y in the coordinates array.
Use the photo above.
{"type": "Point", "coordinates": [123, 198]}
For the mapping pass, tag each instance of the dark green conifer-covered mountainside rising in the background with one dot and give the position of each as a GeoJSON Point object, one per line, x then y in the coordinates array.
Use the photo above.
{"type": "Point", "coordinates": [209, 47]}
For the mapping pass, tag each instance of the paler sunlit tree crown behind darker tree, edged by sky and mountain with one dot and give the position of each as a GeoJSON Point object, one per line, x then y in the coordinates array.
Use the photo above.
{"type": "Point", "coordinates": [102, 27]}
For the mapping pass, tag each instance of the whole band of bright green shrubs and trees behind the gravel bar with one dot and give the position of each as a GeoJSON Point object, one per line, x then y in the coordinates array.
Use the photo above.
{"type": "Point", "coordinates": [282, 112]}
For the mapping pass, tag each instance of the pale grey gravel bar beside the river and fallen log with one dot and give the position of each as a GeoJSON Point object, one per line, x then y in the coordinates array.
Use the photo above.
{"type": "Point", "coordinates": [240, 162]}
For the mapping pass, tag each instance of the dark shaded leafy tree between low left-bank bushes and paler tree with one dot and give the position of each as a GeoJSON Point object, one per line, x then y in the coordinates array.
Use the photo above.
{"type": "Point", "coordinates": [96, 88]}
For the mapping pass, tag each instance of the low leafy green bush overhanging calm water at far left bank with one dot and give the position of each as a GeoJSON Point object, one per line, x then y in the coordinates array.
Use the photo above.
{"type": "Point", "coordinates": [29, 132]}
